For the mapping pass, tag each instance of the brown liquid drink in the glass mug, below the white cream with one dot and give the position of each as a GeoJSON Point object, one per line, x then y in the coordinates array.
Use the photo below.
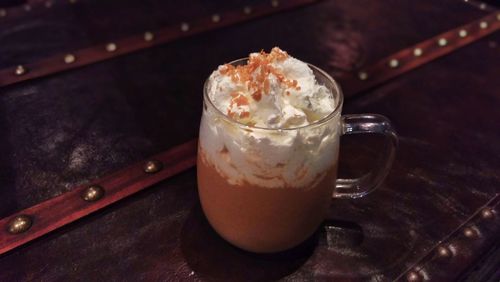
{"type": "Point", "coordinates": [260, 219]}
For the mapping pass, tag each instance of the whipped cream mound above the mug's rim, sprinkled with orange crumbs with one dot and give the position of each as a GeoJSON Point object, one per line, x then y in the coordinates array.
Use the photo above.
{"type": "Point", "coordinates": [273, 90]}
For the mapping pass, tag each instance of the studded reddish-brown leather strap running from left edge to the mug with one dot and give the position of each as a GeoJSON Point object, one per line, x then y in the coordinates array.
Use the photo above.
{"type": "Point", "coordinates": [79, 202]}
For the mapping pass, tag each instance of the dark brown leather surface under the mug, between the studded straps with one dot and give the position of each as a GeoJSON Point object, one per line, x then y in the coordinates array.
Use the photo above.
{"type": "Point", "coordinates": [65, 129]}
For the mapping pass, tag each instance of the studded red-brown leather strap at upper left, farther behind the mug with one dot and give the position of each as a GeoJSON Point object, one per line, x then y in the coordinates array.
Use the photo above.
{"type": "Point", "coordinates": [108, 50]}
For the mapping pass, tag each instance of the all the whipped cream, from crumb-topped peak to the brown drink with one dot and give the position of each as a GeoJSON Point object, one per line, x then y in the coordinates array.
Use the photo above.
{"type": "Point", "coordinates": [272, 91]}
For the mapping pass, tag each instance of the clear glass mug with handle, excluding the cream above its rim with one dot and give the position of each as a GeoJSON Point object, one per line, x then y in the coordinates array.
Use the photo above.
{"type": "Point", "coordinates": [267, 190]}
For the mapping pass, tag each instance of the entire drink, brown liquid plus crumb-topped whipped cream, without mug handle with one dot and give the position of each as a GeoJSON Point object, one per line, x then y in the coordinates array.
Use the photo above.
{"type": "Point", "coordinates": [268, 150]}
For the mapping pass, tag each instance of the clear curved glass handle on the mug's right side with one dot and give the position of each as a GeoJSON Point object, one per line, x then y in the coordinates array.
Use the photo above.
{"type": "Point", "coordinates": [368, 123]}
